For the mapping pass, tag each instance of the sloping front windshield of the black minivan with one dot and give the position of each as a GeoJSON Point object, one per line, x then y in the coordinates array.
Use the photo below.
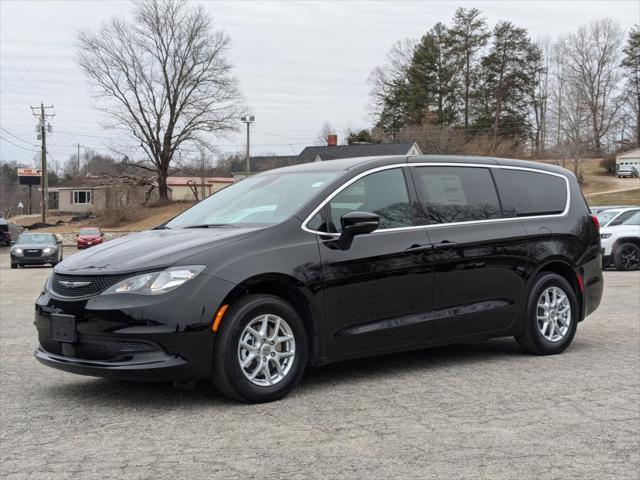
{"type": "Point", "coordinates": [258, 200]}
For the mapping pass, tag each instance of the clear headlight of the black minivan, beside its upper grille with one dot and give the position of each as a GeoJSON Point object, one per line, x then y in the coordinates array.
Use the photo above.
{"type": "Point", "coordinates": [155, 283]}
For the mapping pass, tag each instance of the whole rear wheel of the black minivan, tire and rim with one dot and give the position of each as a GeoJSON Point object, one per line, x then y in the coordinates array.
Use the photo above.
{"type": "Point", "coordinates": [533, 340]}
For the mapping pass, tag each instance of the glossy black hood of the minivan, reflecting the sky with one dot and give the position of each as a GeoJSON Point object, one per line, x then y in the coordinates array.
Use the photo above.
{"type": "Point", "coordinates": [153, 249]}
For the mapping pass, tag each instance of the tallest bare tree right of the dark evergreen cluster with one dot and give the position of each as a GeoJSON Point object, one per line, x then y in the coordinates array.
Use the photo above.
{"type": "Point", "coordinates": [592, 56]}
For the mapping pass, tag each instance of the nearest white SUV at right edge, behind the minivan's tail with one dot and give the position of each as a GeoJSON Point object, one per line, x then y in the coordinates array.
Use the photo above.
{"type": "Point", "coordinates": [621, 241]}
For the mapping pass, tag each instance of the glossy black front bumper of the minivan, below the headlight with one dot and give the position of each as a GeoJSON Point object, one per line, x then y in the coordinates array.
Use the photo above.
{"type": "Point", "coordinates": [134, 337]}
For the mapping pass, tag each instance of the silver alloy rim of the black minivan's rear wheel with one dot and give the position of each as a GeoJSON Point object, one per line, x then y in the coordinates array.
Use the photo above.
{"type": "Point", "coordinates": [554, 314]}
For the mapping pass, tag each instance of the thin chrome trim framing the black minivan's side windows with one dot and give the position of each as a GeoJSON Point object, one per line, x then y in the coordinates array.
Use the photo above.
{"type": "Point", "coordinates": [438, 225]}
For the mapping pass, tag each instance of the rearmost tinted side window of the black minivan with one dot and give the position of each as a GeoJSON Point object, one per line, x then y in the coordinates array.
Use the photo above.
{"type": "Point", "coordinates": [535, 193]}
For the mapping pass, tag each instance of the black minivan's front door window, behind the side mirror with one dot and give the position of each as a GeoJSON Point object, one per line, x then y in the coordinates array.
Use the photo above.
{"type": "Point", "coordinates": [383, 193]}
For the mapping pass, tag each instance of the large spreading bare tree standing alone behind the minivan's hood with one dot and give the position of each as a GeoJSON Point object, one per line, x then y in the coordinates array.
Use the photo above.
{"type": "Point", "coordinates": [163, 77]}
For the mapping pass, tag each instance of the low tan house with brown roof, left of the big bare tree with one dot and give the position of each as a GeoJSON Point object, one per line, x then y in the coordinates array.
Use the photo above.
{"type": "Point", "coordinates": [94, 193]}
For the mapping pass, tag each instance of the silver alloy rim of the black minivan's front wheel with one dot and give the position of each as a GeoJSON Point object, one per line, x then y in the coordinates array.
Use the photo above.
{"type": "Point", "coordinates": [266, 350]}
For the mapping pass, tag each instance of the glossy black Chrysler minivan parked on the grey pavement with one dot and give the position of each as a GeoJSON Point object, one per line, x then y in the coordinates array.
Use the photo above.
{"type": "Point", "coordinates": [327, 261]}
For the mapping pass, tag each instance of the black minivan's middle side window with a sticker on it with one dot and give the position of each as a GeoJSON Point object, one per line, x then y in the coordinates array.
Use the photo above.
{"type": "Point", "coordinates": [458, 194]}
